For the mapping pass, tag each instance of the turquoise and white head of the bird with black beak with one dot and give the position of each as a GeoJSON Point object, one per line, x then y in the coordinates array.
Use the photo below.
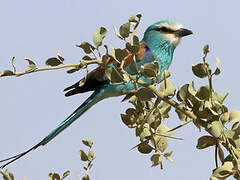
{"type": "Point", "coordinates": [166, 31]}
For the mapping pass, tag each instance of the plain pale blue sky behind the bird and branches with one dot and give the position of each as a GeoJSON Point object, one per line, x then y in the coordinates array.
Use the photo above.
{"type": "Point", "coordinates": [32, 105]}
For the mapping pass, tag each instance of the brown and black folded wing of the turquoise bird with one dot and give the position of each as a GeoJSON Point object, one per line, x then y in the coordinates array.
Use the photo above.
{"type": "Point", "coordinates": [96, 78]}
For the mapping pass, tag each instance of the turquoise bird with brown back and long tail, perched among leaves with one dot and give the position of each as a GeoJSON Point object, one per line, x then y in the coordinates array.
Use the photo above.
{"type": "Point", "coordinates": [158, 44]}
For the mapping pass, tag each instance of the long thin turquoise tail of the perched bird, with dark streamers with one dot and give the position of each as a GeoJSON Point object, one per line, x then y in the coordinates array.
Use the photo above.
{"type": "Point", "coordinates": [93, 99]}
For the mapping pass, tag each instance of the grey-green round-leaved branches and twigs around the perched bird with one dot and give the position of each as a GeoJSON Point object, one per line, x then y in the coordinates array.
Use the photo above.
{"type": "Point", "coordinates": [202, 106]}
